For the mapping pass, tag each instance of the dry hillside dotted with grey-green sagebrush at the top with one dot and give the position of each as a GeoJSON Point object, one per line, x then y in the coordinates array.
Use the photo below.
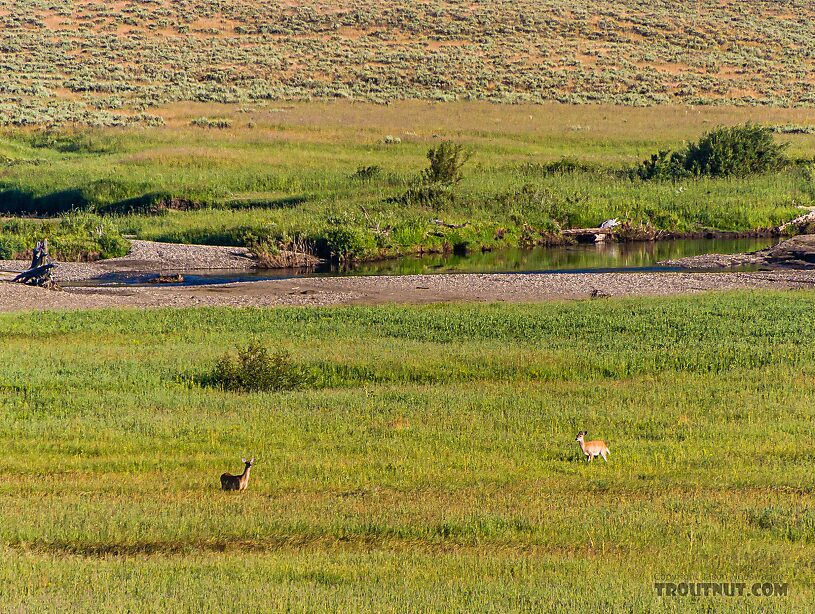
{"type": "Point", "coordinates": [112, 62]}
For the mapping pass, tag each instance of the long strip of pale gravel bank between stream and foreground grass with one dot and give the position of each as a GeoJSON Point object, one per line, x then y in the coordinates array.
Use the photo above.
{"type": "Point", "coordinates": [401, 289]}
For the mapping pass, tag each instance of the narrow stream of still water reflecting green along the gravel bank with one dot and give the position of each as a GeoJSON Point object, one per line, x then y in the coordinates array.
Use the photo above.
{"type": "Point", "coordinates": [588, 258]}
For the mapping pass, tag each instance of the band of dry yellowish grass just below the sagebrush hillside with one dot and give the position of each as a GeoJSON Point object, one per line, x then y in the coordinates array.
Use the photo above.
{"type": "Point", "coordinates": [345, 121]}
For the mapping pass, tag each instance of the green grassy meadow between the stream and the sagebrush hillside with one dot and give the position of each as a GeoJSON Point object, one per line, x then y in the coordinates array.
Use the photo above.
{"type": "Point", "coordinates": [341, 178]}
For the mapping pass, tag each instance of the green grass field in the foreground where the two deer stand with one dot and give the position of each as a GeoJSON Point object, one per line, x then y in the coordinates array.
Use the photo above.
{"type": "Point", "coordinates": [432, 466]}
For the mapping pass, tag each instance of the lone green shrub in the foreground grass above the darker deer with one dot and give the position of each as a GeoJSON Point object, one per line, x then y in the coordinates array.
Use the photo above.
{"type": "Point", "coordinates": [255, 369]}
